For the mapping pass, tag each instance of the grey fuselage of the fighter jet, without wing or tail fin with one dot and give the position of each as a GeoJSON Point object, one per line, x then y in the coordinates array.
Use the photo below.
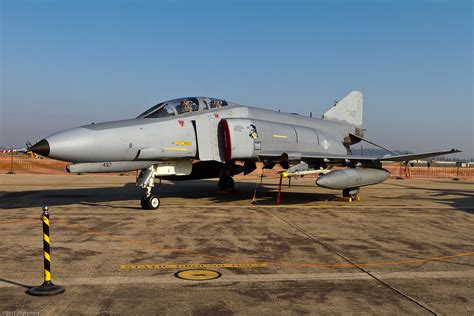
{"type": "Point", "coordinates": [202, 133]}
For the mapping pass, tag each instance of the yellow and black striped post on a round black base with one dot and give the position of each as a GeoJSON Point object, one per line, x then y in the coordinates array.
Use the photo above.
{"type": "Point", "coordinates": [47, 288]}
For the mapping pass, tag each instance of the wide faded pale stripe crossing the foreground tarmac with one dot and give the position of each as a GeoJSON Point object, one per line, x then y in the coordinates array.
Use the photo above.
{"type": "Point", "coordinates": [229, 278]}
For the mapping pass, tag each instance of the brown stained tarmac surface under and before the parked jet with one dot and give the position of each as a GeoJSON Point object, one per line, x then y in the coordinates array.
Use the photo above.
{"type": "Point", "coordinates": [406, 248]}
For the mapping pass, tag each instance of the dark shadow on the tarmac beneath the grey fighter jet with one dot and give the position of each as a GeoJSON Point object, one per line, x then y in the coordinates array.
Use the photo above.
{"type": "Point", "coordinates": [199, 189]}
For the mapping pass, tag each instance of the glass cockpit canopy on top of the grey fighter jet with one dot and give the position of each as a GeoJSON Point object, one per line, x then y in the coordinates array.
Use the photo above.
{"type": "Point", "coordinates": [181, 106]}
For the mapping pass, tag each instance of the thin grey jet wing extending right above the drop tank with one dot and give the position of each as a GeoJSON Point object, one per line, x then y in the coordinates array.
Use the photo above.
{"type": "Point", "coordinates": [329, 158]}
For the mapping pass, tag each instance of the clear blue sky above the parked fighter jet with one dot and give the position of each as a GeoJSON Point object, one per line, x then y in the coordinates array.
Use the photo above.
{"type": "Point", "coordinates": [69, 63]}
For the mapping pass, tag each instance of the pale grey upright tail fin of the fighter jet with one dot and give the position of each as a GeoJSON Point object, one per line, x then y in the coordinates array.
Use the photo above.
{"type": "Point", "coordinates": [349, 109]}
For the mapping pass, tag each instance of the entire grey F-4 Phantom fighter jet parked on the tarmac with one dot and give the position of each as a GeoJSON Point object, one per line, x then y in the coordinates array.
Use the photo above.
{"type": "Point", "coordinates": [201, 137]}
